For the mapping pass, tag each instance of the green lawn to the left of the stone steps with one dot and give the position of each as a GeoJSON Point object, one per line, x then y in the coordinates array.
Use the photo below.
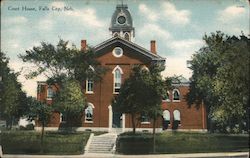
{"type": "Point", "coordinates": [28, 142]}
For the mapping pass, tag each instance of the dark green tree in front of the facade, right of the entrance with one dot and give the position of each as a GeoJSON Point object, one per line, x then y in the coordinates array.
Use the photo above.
{"type": "Point", "coordinates": [142, 83]}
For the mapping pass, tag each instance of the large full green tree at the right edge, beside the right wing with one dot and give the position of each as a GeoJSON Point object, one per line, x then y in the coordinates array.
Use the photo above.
{"type": "Point", "coordinates": [221, 80]}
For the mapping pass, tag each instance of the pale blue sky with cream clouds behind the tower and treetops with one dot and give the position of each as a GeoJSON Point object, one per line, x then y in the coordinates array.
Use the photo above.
{"type": "Point", "coordinates": [177, 26]}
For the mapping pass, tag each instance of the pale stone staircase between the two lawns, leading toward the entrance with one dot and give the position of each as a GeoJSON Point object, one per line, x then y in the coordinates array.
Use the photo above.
{"type": "Point", "coordinates": [104, 143]}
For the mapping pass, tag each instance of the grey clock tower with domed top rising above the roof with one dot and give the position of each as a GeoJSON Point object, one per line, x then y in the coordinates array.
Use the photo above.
{"type": "Point", "coordinates": [122, 23]}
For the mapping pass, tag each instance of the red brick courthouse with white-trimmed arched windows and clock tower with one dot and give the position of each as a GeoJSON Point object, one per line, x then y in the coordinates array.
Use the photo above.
{"type": "Point", "coordinates": [119, 54]}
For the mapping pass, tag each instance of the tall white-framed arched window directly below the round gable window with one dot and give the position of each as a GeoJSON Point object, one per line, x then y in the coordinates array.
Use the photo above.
{"type": "Point", "coordinates": [117, 72]}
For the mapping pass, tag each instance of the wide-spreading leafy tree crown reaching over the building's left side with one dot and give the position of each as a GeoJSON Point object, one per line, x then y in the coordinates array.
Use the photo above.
{"type": "Point", "coordinates": [62, 61]}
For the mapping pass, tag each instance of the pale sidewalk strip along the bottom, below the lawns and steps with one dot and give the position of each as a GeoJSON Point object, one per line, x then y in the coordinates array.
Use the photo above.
{"type": "Point", "coordinates": [195, 155]}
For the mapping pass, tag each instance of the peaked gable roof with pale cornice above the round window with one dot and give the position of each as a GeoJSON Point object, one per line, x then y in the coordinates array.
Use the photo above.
{"type": "Point", "coordinates": [137, 48]}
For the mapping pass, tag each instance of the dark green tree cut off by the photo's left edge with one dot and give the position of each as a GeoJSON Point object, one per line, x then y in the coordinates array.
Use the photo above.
{"type": "Point", "coordinates": [12, 98]}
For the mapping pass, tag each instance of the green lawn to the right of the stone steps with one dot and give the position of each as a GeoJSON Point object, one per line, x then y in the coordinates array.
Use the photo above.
{"type": "Point", "coordinates": [181, 142]}
